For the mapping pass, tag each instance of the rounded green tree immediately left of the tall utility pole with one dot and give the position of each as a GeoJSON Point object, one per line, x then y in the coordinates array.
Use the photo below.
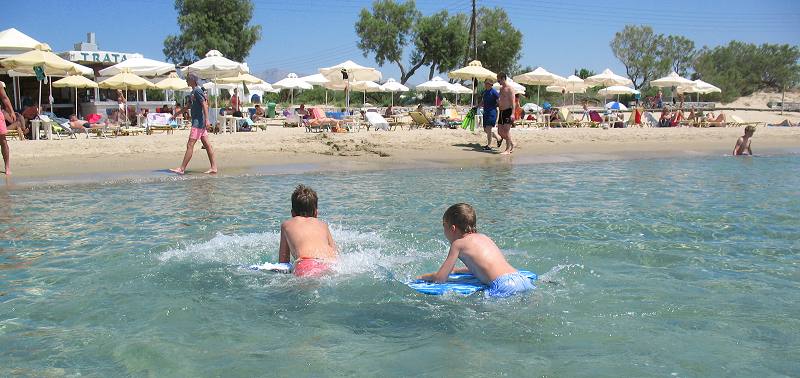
{"type": "Point", "coordinates": [440, 39]}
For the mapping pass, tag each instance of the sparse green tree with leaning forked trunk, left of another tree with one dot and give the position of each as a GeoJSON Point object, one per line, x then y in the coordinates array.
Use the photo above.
{"type": "Point", "coordinates": [386, 31]}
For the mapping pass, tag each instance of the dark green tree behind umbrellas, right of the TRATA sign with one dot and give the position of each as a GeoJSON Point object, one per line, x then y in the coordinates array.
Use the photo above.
{"type": "Point", "coordinates": [212, 25]}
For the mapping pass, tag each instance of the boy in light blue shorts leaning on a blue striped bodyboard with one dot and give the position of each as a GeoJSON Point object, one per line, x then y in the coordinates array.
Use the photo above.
{"type": "Point", "coordinates": [479, 253]}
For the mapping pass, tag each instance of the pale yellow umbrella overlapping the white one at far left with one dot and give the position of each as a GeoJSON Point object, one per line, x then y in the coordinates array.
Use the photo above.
{"type": "Point", "coordinates": [41, 56]}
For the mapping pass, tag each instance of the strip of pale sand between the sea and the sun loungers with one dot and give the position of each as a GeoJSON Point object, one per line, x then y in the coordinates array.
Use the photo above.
{"type": "Point", "coordinates": [293, 151]}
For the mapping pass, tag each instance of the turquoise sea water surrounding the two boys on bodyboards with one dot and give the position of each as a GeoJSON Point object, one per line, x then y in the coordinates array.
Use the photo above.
{"type": "Point", "coordinates": [670, 267]}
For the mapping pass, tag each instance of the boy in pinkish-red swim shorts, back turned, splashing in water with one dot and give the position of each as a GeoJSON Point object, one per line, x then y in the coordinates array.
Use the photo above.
{"type": "Point", "coordinates": [306, 239]}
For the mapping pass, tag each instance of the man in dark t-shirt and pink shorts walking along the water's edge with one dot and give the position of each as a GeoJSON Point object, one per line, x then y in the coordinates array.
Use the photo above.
{"type": "Point", "coordinates": [200, 124]}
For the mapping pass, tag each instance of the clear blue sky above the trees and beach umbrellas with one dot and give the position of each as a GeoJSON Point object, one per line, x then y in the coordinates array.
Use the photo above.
{"type": "Point", "coordinates": [303, 36]}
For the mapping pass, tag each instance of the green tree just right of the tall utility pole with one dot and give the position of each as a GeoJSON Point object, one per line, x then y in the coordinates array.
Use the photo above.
{"type": "Point", "coordinates": [503, 42]}
